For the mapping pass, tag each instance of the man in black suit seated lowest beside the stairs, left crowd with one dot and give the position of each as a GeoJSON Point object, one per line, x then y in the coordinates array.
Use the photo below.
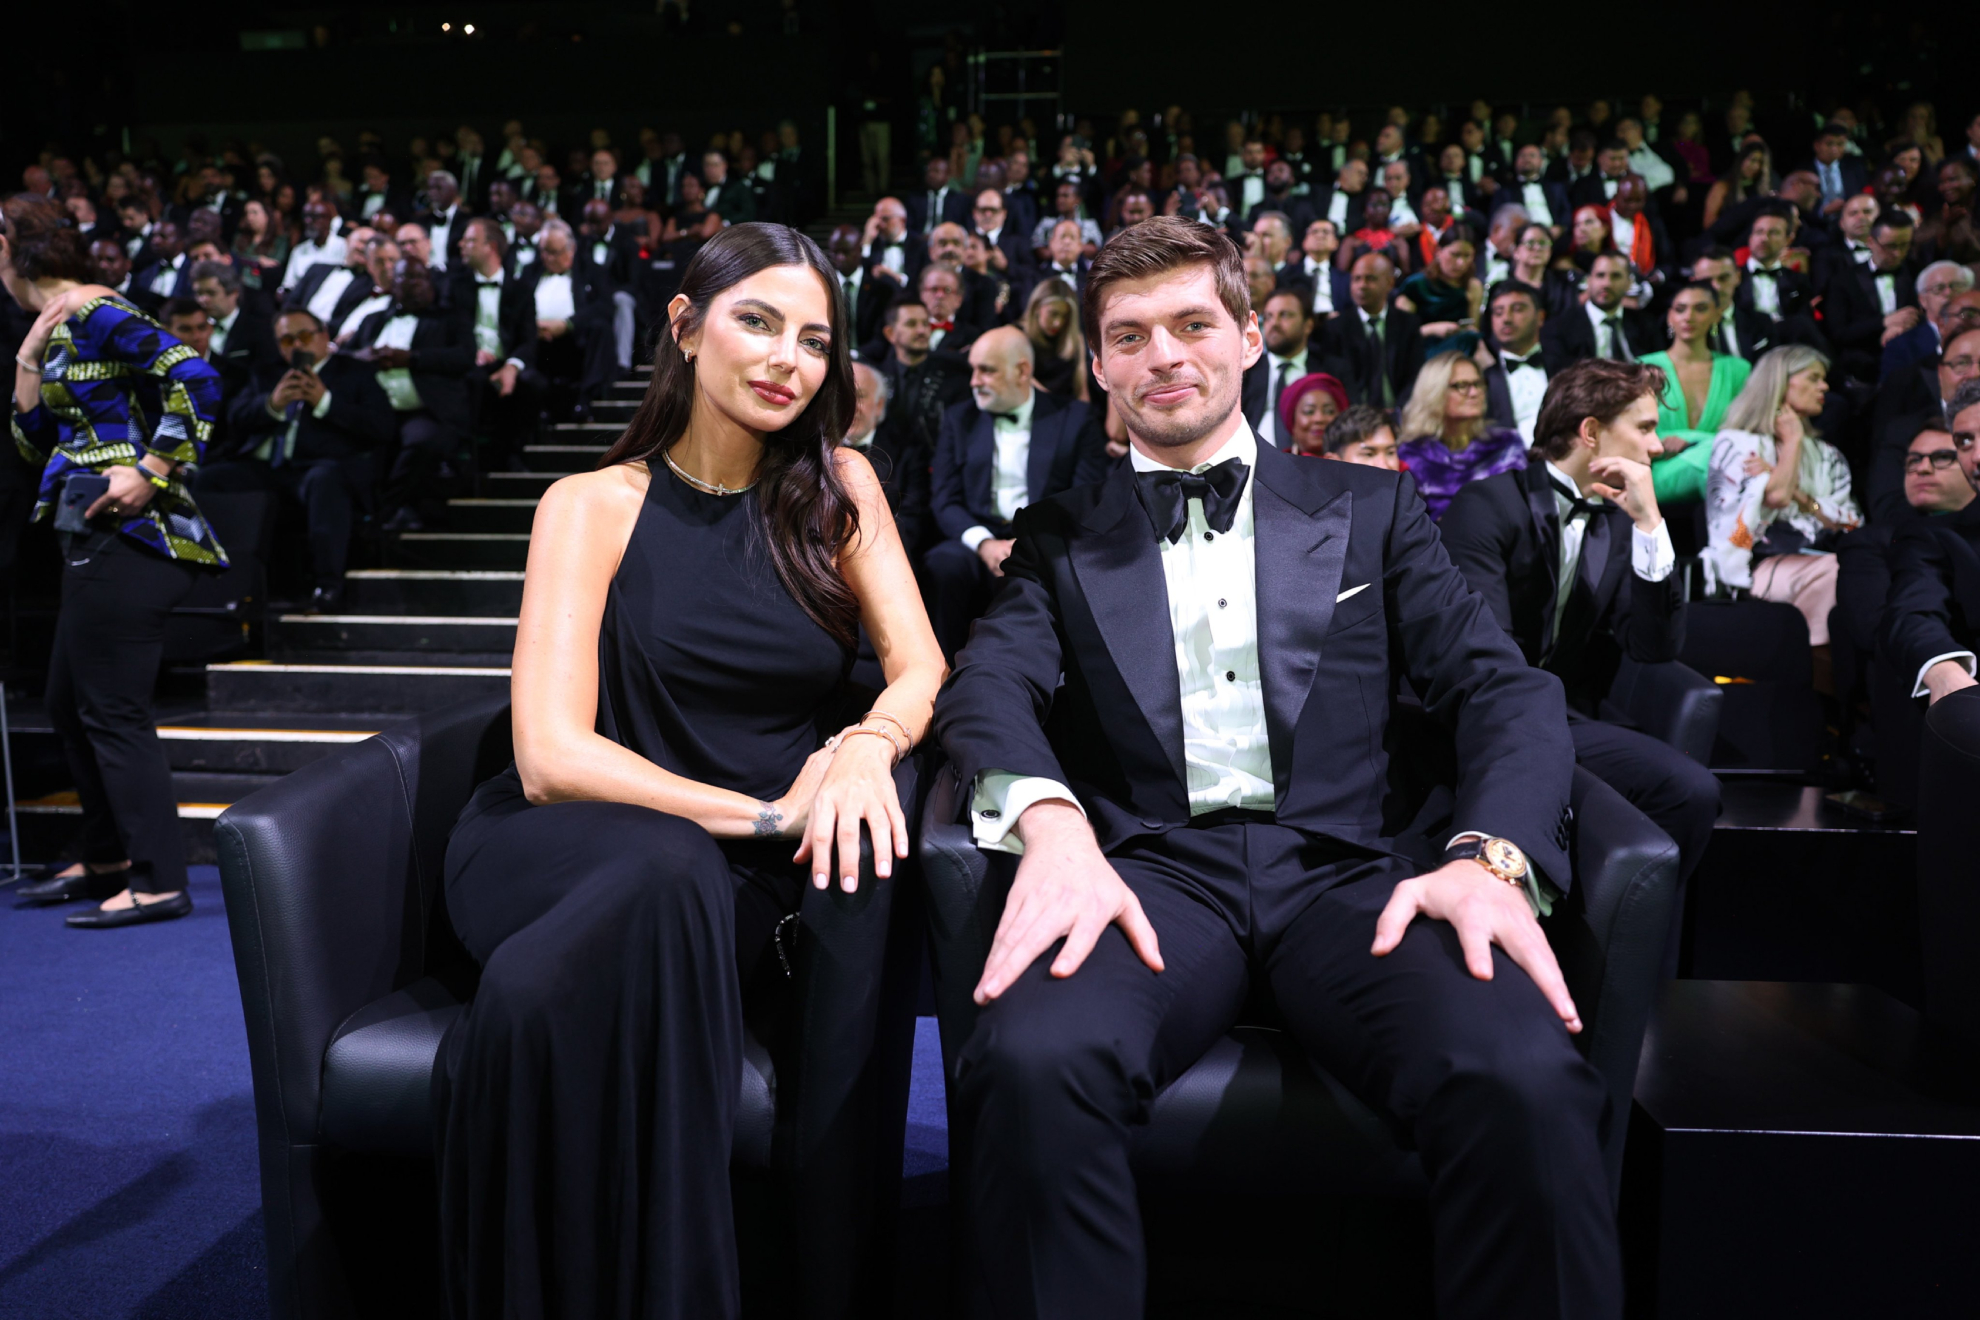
{"type": "Point", "coordinates": [310, 434]}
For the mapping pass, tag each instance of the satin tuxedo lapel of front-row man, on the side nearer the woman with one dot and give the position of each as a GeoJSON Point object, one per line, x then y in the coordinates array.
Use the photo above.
{"type": "Point", "coordinates": [1120, 571]}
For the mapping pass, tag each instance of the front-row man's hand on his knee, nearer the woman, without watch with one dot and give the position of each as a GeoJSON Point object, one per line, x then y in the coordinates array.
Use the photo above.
{"type": "Point", "coordinates": [1066, 890]}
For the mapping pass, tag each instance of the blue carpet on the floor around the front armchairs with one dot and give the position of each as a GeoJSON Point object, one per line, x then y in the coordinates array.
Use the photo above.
{"type": "Point", "coordinates": [128, 1157]}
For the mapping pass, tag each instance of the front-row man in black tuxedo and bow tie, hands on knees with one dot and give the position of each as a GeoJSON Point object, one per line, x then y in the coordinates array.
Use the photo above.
{"type": "Point", "coordinates": [1201, 822]}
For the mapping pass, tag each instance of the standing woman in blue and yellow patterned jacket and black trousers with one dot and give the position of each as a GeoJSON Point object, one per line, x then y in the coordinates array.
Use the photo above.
{"type": "Point", "coordinates": [100, 389]}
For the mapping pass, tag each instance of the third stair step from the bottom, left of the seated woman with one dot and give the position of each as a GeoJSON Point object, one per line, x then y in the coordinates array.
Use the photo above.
{"type": "Point", "coordinates": [347, 690]}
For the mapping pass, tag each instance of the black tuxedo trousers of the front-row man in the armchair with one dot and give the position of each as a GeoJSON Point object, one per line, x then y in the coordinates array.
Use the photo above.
{"type": "Point", "coordinates": [1480, 1076]}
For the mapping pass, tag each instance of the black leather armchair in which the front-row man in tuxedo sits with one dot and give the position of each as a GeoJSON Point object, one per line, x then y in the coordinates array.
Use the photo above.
{"type": "Point", "coordinates": [1256, 1115]}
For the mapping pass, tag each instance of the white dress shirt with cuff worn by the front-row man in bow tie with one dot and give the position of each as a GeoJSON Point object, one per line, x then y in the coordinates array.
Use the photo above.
{"type": "Point", "coordinates": [1213, 614]}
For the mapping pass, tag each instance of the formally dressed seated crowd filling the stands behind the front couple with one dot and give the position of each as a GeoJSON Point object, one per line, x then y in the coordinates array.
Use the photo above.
{"type": "Point", "coordinates": [1811, 333]}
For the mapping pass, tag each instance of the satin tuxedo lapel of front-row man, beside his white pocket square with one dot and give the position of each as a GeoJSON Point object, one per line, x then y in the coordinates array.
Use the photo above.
{"type": "Point", "coordinates": [1300, 551]}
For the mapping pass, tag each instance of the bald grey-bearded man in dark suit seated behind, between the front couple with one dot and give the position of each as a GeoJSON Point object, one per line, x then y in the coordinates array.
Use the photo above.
{"type": "Point", "coordinates": [1005, 448]}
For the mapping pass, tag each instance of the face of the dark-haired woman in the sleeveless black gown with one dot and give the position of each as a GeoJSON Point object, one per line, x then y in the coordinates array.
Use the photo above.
{"type": "Point", "coordinates": [763, 347]}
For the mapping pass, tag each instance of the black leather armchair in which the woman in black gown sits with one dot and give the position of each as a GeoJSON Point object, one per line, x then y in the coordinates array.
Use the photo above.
{"type": "Point", "coordinates": [351, 975]}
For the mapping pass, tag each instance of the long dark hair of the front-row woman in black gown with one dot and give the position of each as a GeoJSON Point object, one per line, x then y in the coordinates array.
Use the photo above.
{"type": "Point", "coordinates": [809, 518]}
